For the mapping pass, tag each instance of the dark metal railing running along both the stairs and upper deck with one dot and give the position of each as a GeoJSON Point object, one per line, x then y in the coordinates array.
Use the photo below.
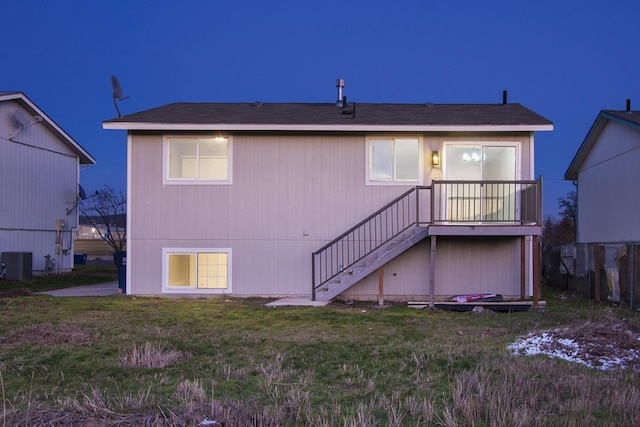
{"type": "Point", "coordinates": [448, 202]}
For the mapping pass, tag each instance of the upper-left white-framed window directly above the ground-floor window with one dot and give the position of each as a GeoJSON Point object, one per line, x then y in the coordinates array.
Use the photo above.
{"type": "Point", "coordinates": [197, 160]}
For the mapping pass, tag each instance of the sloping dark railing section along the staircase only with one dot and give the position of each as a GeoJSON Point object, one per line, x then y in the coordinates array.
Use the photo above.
{"type": "Point", "coordinates": [366, 237]}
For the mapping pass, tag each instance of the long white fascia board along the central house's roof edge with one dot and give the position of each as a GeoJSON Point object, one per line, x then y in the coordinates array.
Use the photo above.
{"type": "Point", "coordinates": [320, 128]}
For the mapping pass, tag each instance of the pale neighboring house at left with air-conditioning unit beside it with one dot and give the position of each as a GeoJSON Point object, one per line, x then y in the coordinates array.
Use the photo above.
{"type": "Point", "coordinates": [40, 170]}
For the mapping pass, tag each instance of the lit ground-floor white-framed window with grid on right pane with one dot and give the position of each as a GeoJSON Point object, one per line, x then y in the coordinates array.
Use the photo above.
{"type": "Point", "coordinates": [196, 270]}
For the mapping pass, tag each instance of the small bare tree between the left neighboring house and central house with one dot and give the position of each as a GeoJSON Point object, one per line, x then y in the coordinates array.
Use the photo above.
{"type": "Point", "coordinates": [106, 211]}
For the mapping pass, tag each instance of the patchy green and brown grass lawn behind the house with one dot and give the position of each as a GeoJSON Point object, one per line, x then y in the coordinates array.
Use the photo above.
{"type": "Point", "coordinates": [125, 360]}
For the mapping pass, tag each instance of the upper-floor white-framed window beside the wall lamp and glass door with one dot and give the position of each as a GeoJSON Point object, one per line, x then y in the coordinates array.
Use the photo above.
{"type": "Point", "coordinates": [394, 160]}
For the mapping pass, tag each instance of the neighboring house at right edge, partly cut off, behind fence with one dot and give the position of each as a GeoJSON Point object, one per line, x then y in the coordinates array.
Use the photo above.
{"type": "Point", "coordinates": [606, 170]}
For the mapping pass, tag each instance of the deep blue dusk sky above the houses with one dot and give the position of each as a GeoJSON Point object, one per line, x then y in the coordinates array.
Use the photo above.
{"type": "Point", "coordinates": [566, 60]}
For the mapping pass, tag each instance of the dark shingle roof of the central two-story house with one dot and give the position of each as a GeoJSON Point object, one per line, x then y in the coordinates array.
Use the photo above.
{"type": "Point", "coordinates": [330, 114]}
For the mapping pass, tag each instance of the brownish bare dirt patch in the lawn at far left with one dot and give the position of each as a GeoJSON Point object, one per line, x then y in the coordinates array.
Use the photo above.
{"type": "Point", "coordinates": [45, 334]}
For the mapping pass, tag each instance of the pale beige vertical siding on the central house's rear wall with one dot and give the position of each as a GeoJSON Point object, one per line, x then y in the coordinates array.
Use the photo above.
{"type": "Point", "coordinates": [290, 195]}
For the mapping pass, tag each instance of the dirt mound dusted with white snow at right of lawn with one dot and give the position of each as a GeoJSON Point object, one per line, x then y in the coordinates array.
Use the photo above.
{"type": "Point", "coordinates": [600, 345]}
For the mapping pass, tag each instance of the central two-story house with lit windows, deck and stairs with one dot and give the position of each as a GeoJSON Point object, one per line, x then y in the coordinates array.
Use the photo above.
{"type": "Point", "coordinates": [332, 199]}
